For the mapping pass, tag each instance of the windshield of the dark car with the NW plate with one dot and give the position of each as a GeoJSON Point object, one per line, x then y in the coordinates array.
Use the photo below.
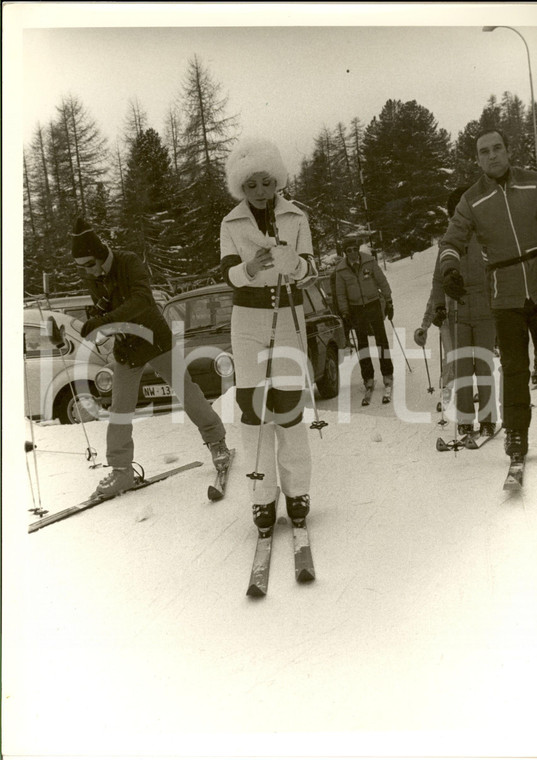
{"type": "Point", "coordinates": [210, 311]}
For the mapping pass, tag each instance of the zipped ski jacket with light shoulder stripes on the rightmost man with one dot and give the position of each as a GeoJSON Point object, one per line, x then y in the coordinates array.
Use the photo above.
{"type": "Point", "coordinates": [504, 220]}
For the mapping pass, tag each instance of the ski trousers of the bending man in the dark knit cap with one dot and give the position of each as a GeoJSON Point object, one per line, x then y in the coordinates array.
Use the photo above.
{"type": "Point", "coordinates": [172, 368]}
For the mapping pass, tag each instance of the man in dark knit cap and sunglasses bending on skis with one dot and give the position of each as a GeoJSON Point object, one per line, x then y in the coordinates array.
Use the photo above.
{"type": "Point", "coordinates": [120, 287]}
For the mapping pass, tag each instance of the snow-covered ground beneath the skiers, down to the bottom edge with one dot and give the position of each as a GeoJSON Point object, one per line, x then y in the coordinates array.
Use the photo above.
{"type": "Point", "coordinates": [127, 631]}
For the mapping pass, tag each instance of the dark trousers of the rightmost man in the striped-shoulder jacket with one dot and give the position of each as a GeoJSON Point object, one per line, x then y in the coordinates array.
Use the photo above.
{"type": "Point", "coordinates": [512, 329]}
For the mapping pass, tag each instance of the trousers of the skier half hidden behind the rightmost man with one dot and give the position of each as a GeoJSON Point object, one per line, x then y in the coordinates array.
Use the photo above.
{"type": "Point", "coordinates": [475, 357]}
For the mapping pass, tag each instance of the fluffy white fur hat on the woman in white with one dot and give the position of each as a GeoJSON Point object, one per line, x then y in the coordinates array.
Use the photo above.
{"type": "Point", "coordinates": [250, 156]}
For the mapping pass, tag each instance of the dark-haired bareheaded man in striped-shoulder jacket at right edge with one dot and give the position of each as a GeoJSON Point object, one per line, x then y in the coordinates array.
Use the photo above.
{"type": "Point", "coordinates": [501, 210]}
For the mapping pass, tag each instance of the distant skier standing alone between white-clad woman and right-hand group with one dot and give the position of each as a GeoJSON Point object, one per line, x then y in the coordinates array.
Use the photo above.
{"type": "Point", "coordinates": [360, 282]}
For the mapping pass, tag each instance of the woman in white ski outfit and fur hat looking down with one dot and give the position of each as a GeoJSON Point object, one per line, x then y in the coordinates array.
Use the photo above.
{"type": "Point", "coordinates": [251, 263]}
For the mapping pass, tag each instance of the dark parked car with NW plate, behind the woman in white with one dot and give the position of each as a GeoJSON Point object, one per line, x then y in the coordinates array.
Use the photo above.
{"type": "Point", "coordinates": [204, 315]}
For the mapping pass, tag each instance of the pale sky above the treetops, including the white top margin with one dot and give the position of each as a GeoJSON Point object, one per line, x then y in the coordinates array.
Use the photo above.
{"type": "Point", "coordinates": [287, 69]}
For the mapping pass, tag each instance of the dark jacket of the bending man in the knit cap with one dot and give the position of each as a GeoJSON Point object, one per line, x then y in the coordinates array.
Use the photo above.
{"type": "Point", "coordinates": [123, 297]}
